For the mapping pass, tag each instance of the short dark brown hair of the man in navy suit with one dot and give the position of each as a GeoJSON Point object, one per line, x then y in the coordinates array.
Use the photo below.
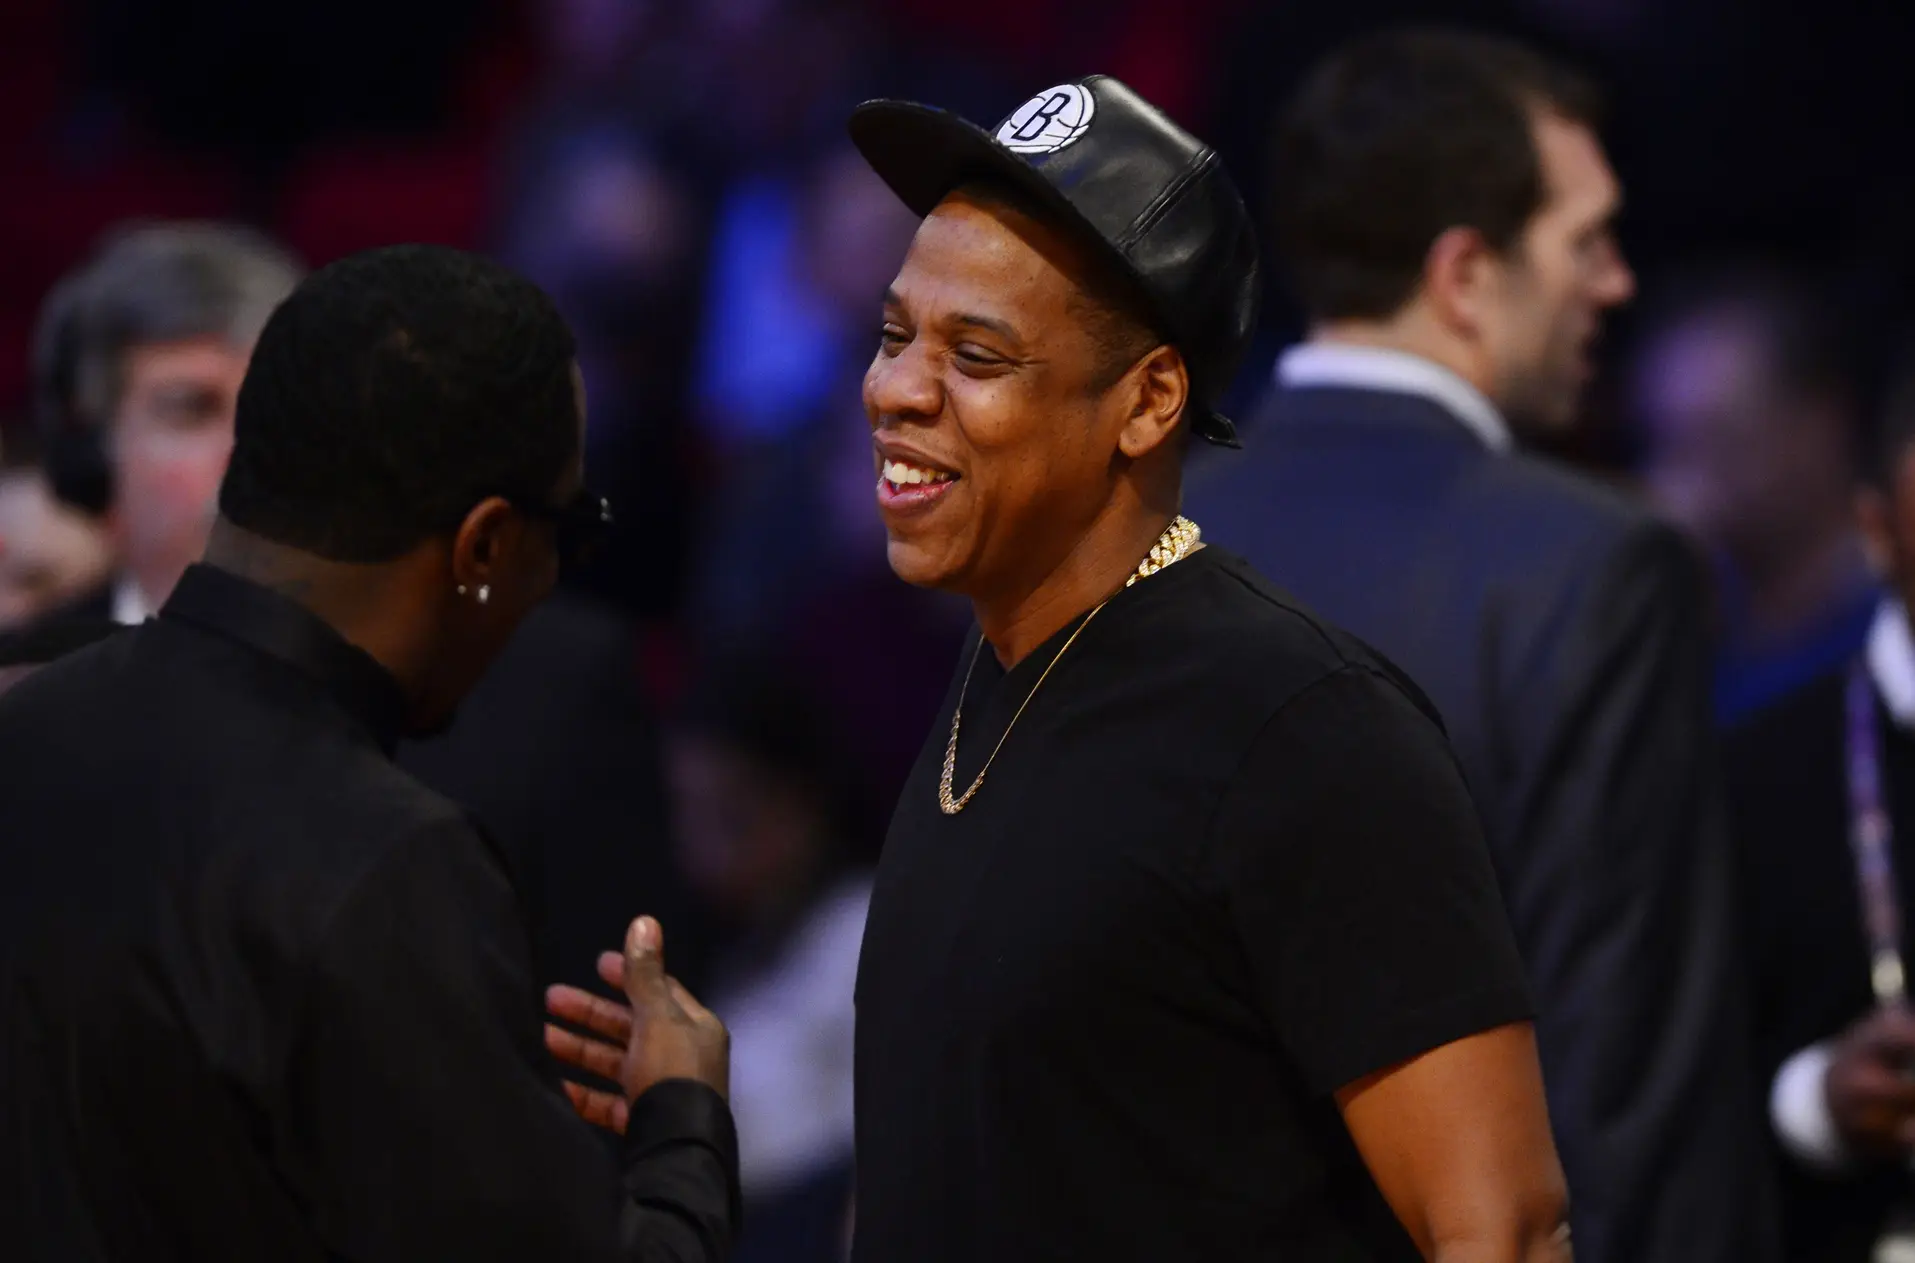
{"type": "Point", "coordinates": [1399, 139]}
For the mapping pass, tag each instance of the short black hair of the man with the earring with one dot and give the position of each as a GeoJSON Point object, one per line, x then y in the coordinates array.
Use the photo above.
{"type": "Point", "coordinates": [392, 393]}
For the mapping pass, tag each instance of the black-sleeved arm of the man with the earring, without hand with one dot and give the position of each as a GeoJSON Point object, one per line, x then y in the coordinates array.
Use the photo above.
{"type": "Point", "coordinates": [424, 1117]}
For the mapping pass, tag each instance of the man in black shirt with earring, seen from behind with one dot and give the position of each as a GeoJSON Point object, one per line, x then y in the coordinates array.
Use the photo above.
{"type": "Point", "coordinates": [263, 994]}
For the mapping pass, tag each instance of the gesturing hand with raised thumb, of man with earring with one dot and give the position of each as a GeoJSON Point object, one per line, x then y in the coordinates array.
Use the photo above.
{"type": "Point", "coordinates": [662, 1032]}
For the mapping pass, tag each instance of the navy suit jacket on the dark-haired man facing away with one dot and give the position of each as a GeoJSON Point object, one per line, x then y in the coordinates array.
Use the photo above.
{"type": "Point", "coordinates": [1560, 629]}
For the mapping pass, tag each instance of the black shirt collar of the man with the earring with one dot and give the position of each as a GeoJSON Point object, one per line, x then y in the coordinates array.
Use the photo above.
{"type": "Point", "coordinates": [279, 627]}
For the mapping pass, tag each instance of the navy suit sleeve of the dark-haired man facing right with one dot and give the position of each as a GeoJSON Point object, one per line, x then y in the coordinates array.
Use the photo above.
{"type": "Point", "coordinates": [1621, 891]}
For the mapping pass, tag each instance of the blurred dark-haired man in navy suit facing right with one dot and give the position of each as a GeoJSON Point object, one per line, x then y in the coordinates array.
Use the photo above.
{"type": "Point", "coordinates": [1447, 213]}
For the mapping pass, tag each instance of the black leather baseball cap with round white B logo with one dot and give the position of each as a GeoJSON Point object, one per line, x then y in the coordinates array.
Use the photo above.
{"type": "Point", "coordinates": [1114, 169]}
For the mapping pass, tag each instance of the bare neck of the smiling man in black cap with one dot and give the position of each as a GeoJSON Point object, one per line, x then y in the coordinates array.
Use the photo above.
{"type": "Point", "coordinates": [1091, 573]}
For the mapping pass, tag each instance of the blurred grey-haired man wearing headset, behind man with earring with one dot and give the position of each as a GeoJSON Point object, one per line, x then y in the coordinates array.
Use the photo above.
{"type": "Point", "coordinates": [139, 357]}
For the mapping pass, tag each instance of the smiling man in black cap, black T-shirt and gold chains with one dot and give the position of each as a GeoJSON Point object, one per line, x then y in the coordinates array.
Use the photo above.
{"type": "Point", "coordinates": [1184, 942]}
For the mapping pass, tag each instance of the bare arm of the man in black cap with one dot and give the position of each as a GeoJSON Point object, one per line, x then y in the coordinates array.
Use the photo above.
{"type": "Point", "coordinates": [1458, 1141]}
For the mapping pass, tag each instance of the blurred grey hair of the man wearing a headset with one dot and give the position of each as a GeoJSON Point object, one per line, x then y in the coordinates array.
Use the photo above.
{"type": "Point", "coordinates": [150, 284]}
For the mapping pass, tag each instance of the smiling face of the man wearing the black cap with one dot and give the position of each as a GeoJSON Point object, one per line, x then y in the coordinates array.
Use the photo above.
{"type": "Point", "coordinates": [995, 416]}
